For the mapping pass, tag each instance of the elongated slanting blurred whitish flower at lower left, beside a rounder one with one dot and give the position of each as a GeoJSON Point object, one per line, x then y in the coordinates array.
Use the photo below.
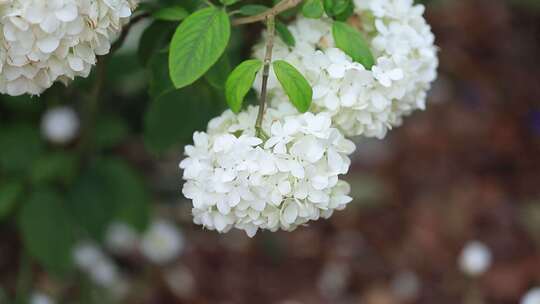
{"type": "Point", "coordinates": [99, 267]}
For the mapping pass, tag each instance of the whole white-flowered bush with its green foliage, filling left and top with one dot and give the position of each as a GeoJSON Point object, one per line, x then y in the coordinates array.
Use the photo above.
{"type": "Point", "coordinates": [323, 71]}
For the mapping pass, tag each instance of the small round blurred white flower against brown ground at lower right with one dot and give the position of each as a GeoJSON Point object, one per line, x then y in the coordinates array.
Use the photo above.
{"type": "Point", "coordinates": [475, 259]}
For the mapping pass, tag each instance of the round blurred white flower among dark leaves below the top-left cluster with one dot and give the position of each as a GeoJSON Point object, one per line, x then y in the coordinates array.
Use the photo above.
{"type": "Point", "coordinates": [60, 125]}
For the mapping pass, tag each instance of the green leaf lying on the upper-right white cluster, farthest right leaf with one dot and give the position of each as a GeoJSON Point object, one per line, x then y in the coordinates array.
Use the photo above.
{"type": "Point", "coordinates": [349, 40]}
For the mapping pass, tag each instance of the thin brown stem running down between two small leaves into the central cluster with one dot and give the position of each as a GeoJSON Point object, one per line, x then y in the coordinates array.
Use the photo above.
{"type": "Point", "coordinates": [271, 25]}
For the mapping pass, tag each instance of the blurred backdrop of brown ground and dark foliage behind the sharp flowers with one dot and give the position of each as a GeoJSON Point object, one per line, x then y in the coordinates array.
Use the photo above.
{"type": "Point", "coordinates": [446, 209]}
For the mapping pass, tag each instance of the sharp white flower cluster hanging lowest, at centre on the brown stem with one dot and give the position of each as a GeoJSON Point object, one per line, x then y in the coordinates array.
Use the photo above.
{"type": "Point", "coordinates": [237, 180]}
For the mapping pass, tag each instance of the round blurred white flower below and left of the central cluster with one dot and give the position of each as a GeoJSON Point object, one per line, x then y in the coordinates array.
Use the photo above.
{"type": "Point", "coordinates": [162, 242]}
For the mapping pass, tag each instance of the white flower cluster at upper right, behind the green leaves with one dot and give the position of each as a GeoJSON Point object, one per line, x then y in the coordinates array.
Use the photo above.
{"type": "Point", "coordinates": [364, 102]}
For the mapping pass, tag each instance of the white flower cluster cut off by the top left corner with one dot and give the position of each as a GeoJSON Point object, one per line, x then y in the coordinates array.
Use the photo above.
{"type": "Point", "coordinates": [44, 41]}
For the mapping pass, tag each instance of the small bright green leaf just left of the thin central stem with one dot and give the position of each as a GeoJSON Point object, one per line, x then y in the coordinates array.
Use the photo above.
{"type": "Point", "coordinates": [239, 83]}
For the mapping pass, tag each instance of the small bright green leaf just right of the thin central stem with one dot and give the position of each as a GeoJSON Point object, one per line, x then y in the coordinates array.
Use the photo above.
{"type": "Point", "coordinates": [295, 85]}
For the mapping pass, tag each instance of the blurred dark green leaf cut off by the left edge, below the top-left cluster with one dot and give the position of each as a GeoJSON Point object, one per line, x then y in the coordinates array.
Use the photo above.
{"type": "Point", "coordinates": [20, 146]}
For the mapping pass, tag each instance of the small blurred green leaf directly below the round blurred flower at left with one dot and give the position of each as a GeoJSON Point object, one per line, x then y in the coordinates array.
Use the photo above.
{"type": "Point", "coordinates": [56, 166]}
